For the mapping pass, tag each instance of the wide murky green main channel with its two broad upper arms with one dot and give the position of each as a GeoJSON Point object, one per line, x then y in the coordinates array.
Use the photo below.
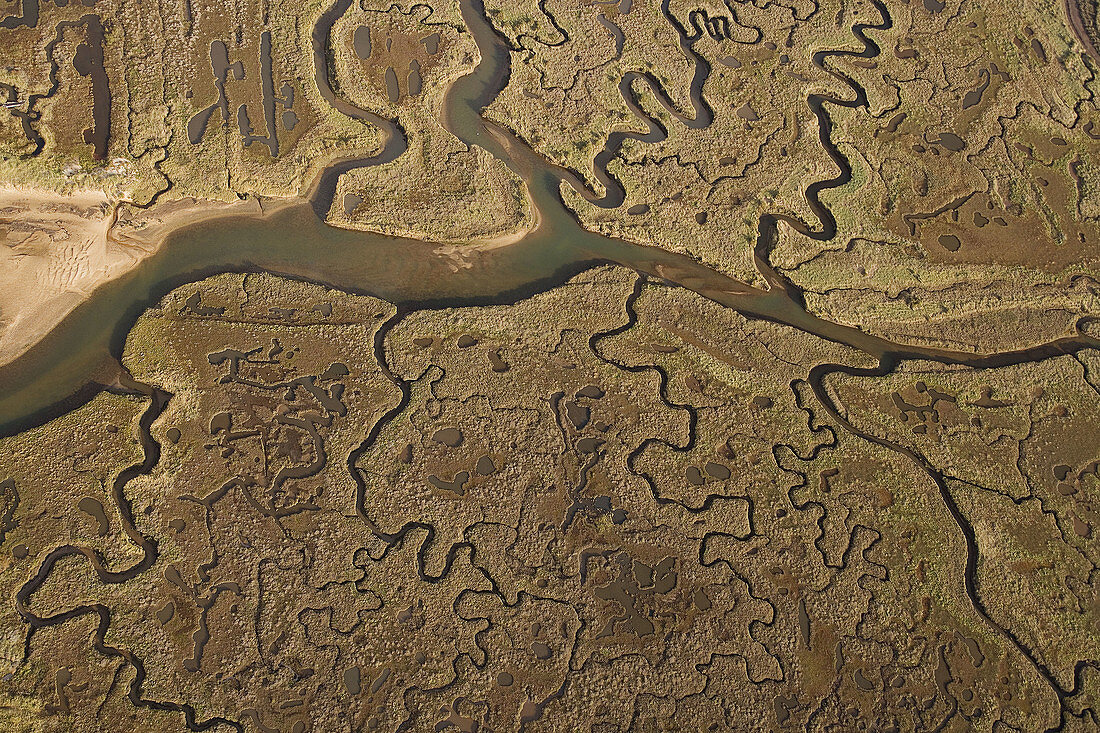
{"type": "Point", "coordinates": [83, 349]}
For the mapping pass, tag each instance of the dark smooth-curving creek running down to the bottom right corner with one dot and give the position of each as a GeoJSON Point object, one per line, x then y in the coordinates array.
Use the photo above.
{"type": "Point", "coordinates": [887, 366]}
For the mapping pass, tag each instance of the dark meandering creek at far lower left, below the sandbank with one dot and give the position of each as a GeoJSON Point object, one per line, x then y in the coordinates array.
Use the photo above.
{"type": "Point", "coordinates": [151, 450]}
